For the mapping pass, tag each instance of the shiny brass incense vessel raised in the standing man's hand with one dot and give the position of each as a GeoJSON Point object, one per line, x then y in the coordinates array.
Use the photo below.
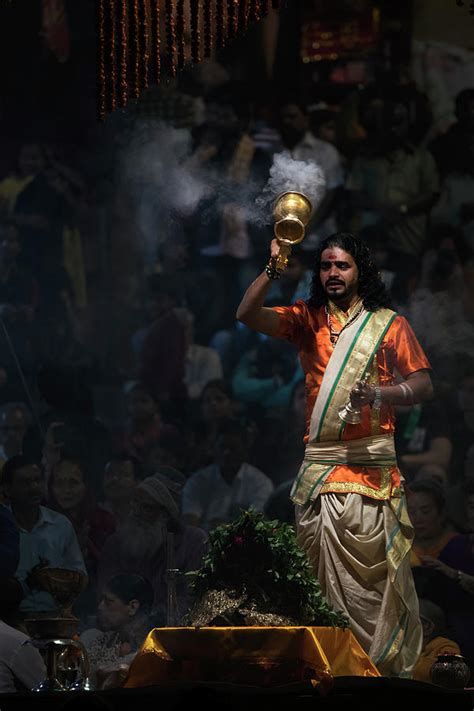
{"type": "Point", "coordinates": [291, 214]}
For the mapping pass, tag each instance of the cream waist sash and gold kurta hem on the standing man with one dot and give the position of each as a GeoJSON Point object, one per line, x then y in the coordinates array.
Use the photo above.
{"type": "Point", "coordinates": [377, 452]}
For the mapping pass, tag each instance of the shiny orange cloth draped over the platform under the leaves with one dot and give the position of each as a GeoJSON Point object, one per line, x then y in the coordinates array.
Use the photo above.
{"type": "Point", "coordinates": [261, 656]}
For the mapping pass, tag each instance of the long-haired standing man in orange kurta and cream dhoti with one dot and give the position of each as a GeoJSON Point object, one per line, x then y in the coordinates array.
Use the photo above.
{"type": "Point", "coordinates": [350, 508]}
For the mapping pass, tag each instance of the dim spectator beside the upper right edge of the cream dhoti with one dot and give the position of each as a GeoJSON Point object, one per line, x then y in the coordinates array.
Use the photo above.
{"type": "Point", "coordinates": [427, 511]}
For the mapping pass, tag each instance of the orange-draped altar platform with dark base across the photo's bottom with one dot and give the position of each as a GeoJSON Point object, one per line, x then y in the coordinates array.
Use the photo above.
{"type": "Point", "coordinates": [246, 668]}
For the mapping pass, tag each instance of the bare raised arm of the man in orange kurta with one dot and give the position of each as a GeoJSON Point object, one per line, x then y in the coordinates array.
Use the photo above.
{"type": "Point", "coordinates": [251, 310]}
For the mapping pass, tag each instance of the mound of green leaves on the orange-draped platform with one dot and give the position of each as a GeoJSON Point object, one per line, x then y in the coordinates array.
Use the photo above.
{"type": "Point", "coordinates": [254, 573]}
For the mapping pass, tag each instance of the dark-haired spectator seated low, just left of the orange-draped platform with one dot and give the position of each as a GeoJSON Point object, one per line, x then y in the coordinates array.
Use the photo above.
{"type": "Point", "coordinates": [123, 620]}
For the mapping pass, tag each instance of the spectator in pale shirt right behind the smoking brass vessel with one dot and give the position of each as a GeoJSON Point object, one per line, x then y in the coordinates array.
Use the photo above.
{"type": "Point", "coordinates": [302, 145]}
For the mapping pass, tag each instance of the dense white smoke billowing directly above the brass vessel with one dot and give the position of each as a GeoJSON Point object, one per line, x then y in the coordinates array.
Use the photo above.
{"type": "Point", "coordinates": [288, 174]}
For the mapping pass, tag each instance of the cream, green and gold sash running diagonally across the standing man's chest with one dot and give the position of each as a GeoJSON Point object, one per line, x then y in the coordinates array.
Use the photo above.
{"type": "Point", "coordinates": [352, 355]}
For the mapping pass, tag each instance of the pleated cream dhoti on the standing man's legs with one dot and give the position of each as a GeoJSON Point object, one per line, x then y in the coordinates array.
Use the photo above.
{"type": "Point", "coordinates": [359, 550]}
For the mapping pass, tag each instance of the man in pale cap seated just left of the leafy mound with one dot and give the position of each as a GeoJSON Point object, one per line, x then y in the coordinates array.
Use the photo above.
{"type": "Point", "coordinates": [153, 538]}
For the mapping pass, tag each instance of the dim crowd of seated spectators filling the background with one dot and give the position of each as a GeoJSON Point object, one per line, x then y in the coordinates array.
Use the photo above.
{"type": "Point", "coordinates": [137, 414]}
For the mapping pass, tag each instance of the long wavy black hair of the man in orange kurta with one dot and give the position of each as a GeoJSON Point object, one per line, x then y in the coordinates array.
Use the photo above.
{"type": "Point", "coordinates": [371, 288]}
